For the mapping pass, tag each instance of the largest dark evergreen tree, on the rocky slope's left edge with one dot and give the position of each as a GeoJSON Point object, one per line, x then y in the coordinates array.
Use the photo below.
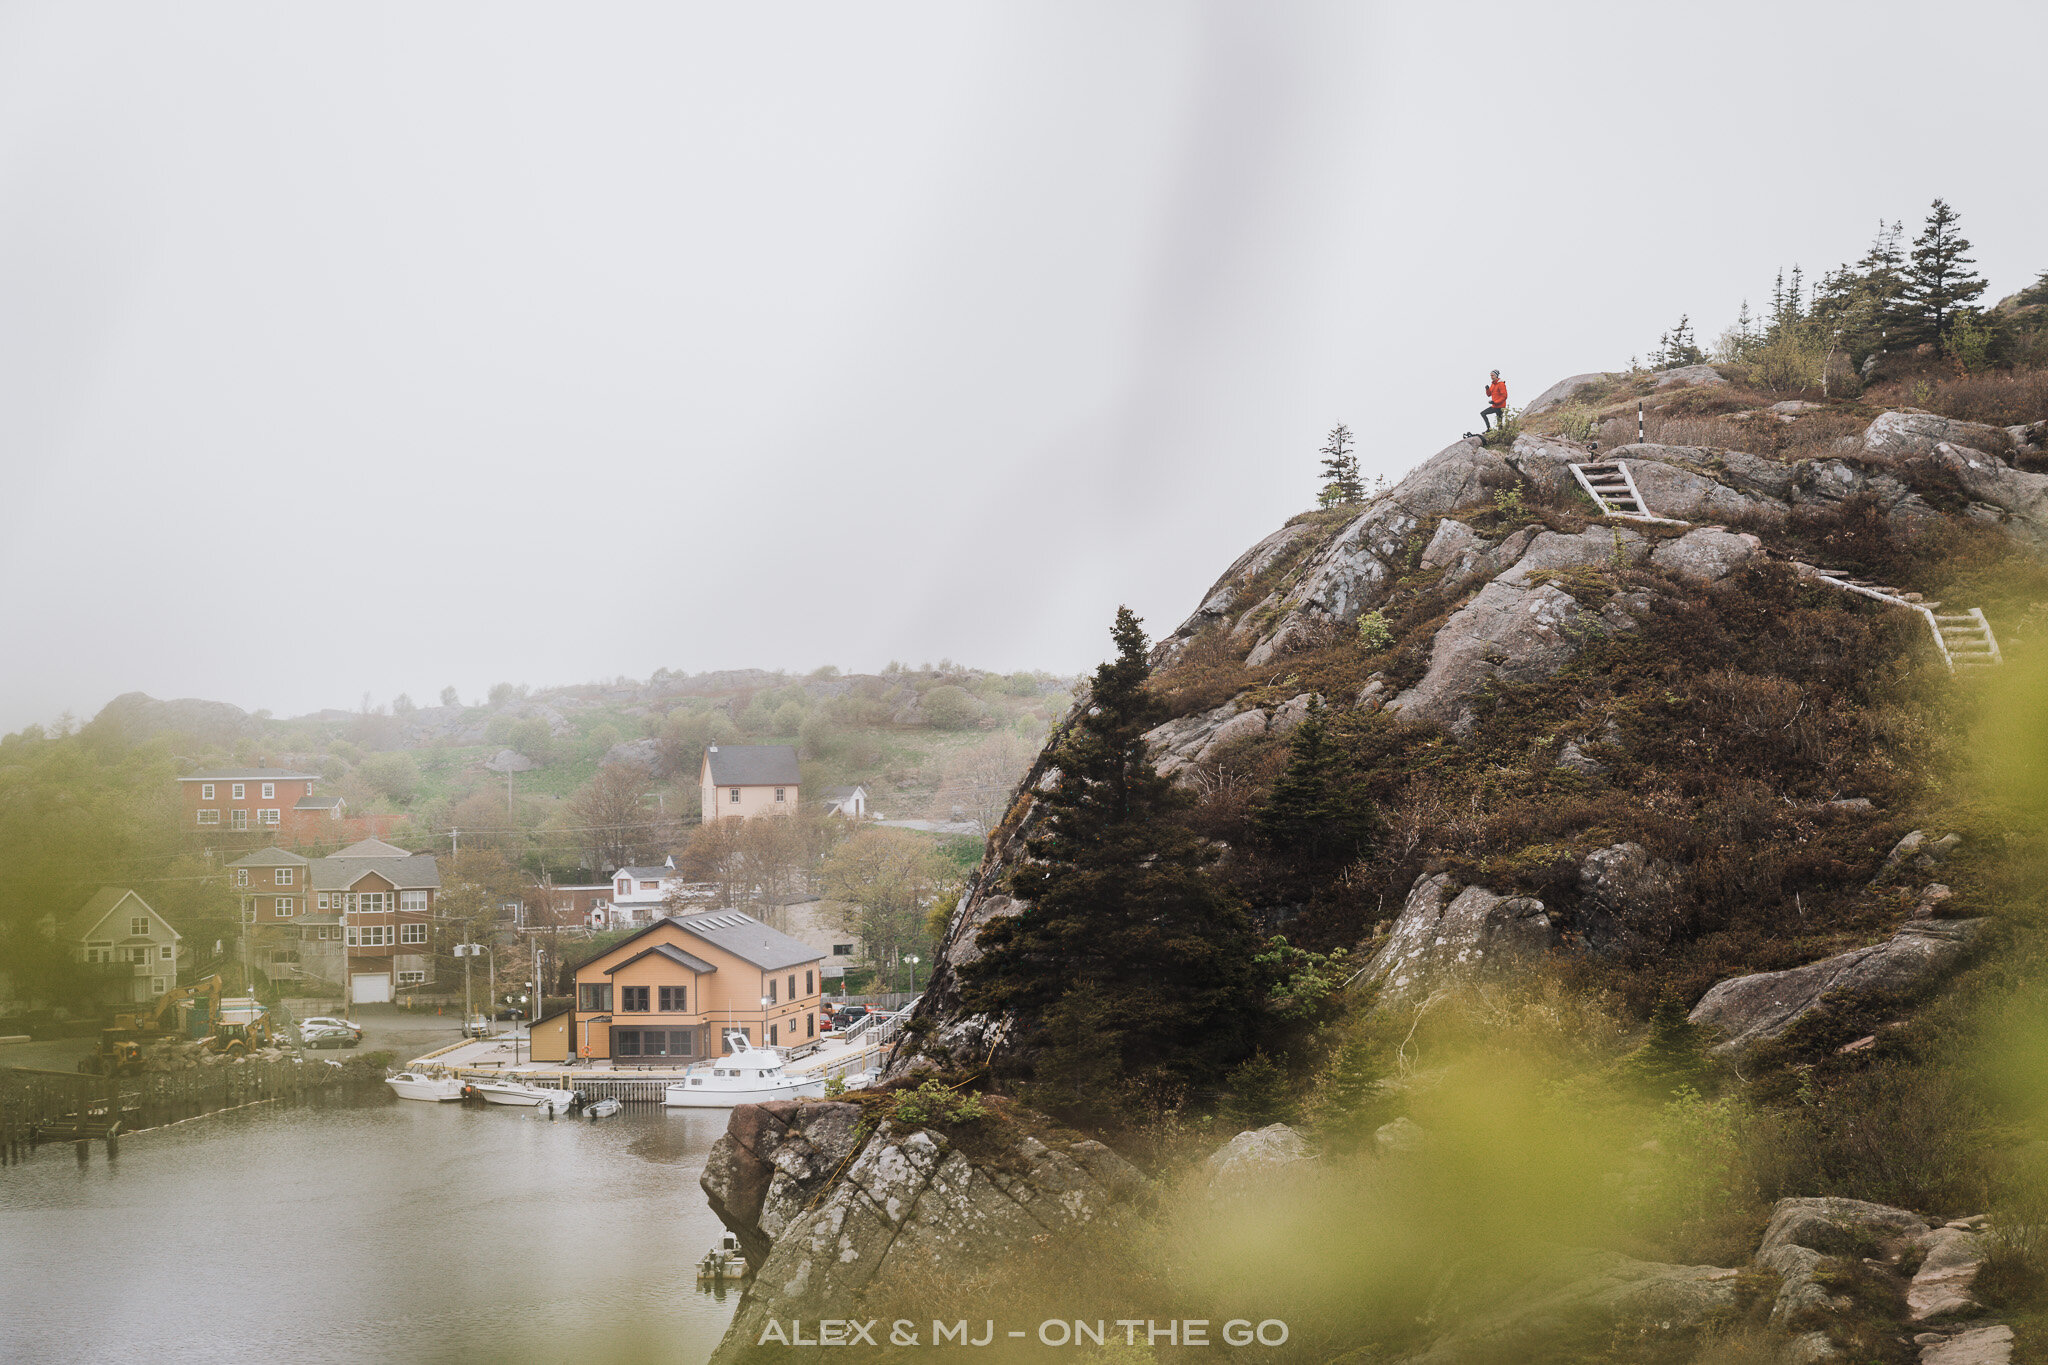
{"type": "Point", "coordinates": [1121, 924]}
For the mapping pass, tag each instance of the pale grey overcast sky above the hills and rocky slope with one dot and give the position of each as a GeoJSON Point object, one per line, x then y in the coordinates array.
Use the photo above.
{"type": "Point", "coordinates": [378, 349]}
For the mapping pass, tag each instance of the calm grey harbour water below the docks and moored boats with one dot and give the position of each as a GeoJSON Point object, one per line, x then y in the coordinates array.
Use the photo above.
{"type": "Point", "coordinates": [386, 1231]}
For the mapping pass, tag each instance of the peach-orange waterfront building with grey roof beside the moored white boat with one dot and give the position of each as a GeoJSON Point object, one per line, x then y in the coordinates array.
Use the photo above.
{"type": "Point", "coordinates": [667, 996]}
